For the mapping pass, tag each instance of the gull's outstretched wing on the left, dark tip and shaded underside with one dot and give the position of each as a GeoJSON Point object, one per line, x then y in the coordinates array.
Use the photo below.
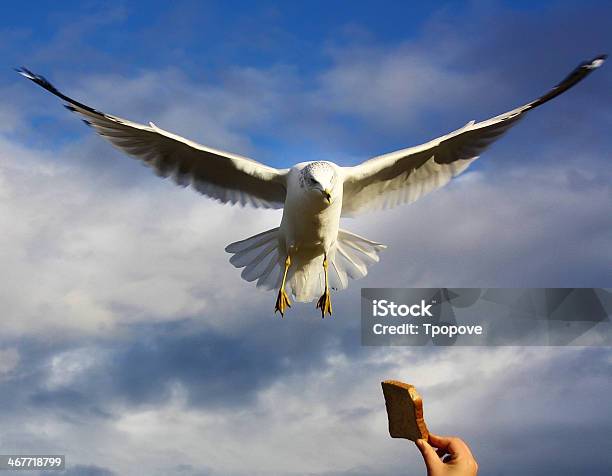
{"type": "Point", "coordinates": [223, 176]}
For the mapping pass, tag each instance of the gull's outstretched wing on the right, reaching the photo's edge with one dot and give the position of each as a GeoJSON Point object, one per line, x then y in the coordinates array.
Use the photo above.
{"type": "Point", "coordinates": [406, 175]}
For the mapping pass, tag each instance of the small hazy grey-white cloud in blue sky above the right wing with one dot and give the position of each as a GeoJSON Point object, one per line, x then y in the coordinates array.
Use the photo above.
{"type": "Point", "coordinates": [396, 87]}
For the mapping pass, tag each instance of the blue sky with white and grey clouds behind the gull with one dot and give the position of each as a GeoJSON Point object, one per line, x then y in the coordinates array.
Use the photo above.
{"type": "Point", "coordinates": [132, 346]}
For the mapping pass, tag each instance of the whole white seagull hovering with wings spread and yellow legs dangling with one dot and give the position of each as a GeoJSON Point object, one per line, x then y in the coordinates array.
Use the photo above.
{"type": "Point", "coordinates": [308, 253]}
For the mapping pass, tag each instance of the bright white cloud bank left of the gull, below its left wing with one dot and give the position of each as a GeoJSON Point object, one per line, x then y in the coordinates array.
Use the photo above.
{"type": "Point", "coordinates": [78, 257]}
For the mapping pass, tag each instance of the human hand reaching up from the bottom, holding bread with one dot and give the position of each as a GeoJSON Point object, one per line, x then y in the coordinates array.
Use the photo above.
{"type": "Point", "coordinates": [457, 462]}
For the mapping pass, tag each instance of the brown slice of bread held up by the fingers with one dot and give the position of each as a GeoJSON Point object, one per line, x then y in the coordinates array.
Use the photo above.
{"type": "Point", "coordinates": [404, 410]}
